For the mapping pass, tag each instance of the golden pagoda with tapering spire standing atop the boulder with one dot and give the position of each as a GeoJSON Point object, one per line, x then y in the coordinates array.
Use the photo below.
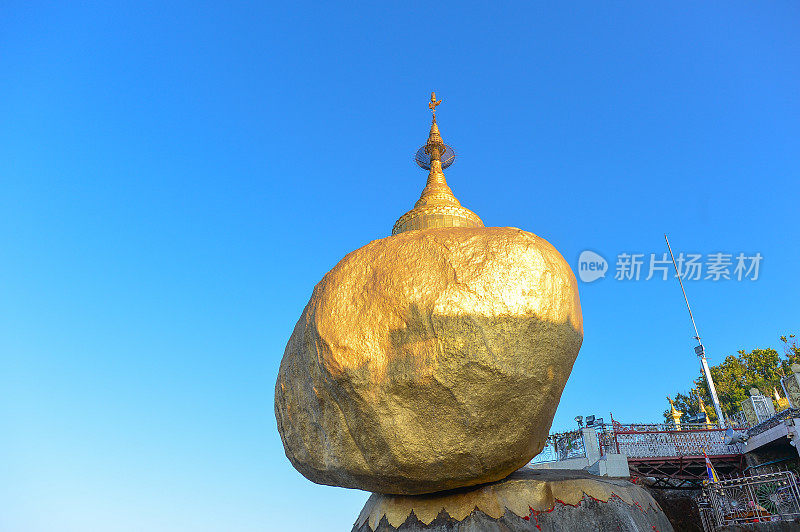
{"type": "Point", "coordinates": [437, 206]}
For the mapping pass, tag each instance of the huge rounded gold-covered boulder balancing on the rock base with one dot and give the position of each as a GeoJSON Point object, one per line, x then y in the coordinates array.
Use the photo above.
{"type": "Point", "coordinates": [429, 360]}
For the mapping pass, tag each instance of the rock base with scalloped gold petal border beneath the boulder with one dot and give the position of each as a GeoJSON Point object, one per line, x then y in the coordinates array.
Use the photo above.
{"type": "Point", "coordinates": [527, 500]}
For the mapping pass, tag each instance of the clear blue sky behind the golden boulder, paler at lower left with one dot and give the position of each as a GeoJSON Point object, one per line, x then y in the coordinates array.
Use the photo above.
{"type": "Point", "coordinates": [176, 179]}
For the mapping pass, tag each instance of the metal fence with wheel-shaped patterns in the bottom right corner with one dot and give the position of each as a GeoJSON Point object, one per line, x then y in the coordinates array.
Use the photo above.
{"type": "Point", "coordinates": [751, 499]}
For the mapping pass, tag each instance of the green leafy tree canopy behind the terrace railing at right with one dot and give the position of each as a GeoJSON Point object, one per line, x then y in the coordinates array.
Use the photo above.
{"type": "Point", "coordinates": [734, 376]}
